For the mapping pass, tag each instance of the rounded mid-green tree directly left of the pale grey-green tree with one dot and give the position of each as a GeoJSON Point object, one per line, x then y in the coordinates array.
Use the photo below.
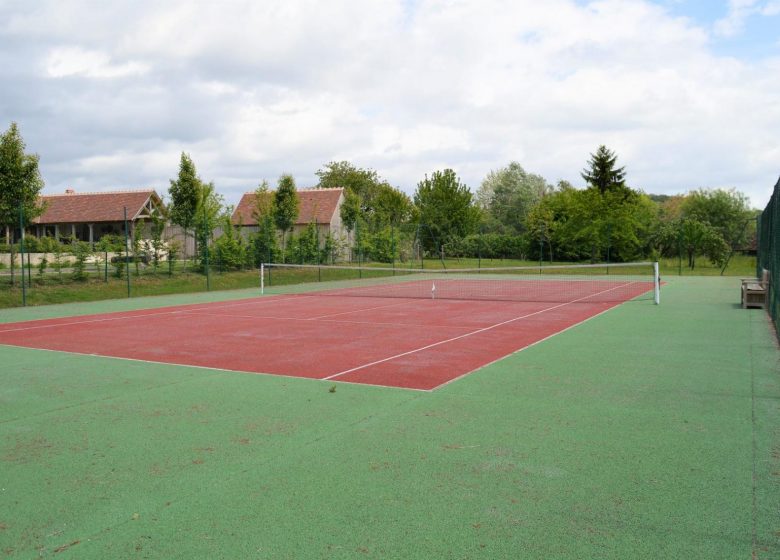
{"type": "Point", "coordinates": [445, 206]}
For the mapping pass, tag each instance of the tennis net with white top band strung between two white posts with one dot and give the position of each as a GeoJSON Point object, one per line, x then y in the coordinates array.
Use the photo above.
{"type": "Point", "coordinates": [615, 282]}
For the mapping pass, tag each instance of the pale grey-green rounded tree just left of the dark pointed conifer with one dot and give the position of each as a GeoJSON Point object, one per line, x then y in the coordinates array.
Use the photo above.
{"type": "Point", "coordinates": [508, 195]}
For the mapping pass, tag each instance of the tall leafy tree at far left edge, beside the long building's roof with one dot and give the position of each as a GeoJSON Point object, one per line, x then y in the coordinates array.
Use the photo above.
{"type": "Point", "coordinates": [20, 180]}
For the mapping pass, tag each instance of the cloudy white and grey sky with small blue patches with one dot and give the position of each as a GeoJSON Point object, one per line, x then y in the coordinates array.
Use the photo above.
{"type": "Point", "coordinates": [686, 92]}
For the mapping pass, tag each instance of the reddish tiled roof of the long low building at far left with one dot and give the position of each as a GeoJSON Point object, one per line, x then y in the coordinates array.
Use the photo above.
{"type": "Point", "coordinates": [92, 207]}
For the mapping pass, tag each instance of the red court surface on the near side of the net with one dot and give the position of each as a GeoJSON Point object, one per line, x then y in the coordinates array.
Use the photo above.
{"type": "Point", "coordinates": [395, 342]}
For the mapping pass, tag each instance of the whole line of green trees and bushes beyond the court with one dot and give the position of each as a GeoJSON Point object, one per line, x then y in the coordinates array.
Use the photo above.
{"type": "Point", "coordinates": [512, 214]}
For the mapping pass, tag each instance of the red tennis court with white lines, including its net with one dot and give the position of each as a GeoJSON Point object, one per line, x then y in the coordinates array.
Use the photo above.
{"type": "Point", "coordinates": [415, 330]}
